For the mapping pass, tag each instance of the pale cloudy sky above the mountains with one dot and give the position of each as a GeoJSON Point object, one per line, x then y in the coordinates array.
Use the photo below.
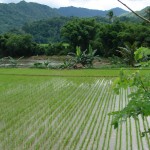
{"type": "Point", "coordinates": [91, 4]}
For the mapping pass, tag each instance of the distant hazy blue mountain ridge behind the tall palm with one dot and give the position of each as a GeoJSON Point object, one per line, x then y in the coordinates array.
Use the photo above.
{"type": "Point", "coordinates": [83, 12]}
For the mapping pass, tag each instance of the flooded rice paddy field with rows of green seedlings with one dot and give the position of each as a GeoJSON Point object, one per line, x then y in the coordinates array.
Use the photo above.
{"type": "Point", "coordinates": [65, 110]}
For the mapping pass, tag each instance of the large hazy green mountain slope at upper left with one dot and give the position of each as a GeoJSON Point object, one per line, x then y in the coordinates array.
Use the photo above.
{"type": "Point", "coordinates": [15, 15]}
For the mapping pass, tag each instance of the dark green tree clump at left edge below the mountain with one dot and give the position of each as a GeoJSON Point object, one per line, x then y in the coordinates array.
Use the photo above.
{"type": "Point", "coordinates": [17, 45]}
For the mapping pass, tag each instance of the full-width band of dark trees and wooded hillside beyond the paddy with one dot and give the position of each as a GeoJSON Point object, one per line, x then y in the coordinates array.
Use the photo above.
{"type": "Point", "coordinates": [47, 37]}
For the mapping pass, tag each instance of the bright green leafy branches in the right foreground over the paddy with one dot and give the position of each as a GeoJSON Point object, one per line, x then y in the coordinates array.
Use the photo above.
{"type": "Point", "coordinates": [139, 103]}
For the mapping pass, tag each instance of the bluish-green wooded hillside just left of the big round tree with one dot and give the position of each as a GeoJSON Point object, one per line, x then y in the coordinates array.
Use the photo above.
{"type": "Point", "coordinates": [45, 31]}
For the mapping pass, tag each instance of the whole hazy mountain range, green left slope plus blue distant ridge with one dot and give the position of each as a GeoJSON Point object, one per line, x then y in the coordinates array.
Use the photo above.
{"type": "Point", "coordinates": [15, 15]}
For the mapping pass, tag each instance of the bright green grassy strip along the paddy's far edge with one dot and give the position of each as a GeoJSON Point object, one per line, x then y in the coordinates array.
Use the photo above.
{"type": "Point", "coordinates": [82, 72]}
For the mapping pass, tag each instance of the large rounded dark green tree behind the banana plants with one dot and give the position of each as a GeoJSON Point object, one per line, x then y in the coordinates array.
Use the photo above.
{"type": "Point", "coordinates": [80, 32]}
